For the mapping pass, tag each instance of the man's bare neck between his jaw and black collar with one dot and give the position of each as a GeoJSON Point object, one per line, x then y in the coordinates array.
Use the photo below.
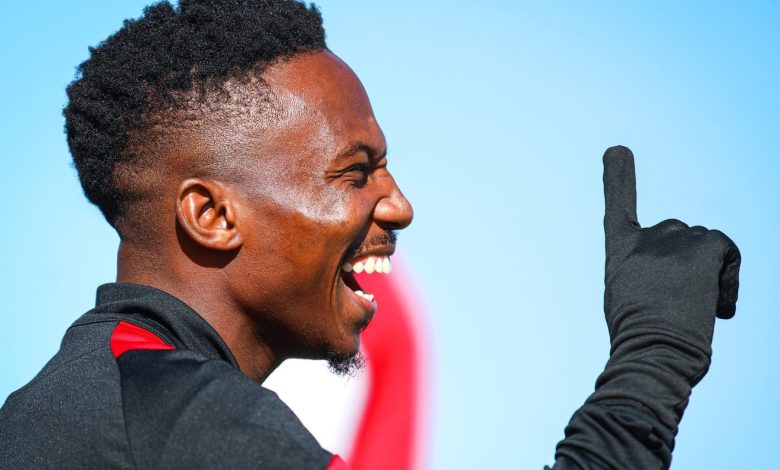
{"type": "Point", "coordinates": [202, 289]}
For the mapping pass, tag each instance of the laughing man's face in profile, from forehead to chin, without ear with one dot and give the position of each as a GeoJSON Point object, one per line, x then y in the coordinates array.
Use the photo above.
{"type": "Point", "coordinates": [316, 198]}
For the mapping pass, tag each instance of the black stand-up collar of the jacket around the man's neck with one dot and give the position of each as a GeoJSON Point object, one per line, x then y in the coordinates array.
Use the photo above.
{"type": "Point", "coordinates": [167, 316]}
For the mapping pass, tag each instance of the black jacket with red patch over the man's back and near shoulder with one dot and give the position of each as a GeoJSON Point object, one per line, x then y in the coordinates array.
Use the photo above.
{"type": "Point", "coordinates": [142, 381]}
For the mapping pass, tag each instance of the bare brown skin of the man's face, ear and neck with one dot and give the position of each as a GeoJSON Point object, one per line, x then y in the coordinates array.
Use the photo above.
{"type": "Point", "coordinates": [258, 252]}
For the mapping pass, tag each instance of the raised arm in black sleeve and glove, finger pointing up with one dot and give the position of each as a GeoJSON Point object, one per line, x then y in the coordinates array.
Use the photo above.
{"type": "Point", "coordinates": [664, 286]}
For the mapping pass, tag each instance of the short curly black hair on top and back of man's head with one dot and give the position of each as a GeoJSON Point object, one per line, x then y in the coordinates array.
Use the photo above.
{"type": "Point", "coordinates": [165, 54]}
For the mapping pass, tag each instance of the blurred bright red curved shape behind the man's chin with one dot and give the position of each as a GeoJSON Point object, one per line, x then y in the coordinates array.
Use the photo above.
{"type": "Point", "coordinates": [391, 433]}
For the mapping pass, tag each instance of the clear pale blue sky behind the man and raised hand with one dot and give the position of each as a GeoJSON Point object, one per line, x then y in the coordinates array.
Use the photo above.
{"type": "Point", "coordinates": [497, 113]}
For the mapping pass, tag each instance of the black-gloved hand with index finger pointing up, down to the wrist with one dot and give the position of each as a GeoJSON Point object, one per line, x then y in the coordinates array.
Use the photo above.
{"type": "Point", "coordinates": [664, 286]}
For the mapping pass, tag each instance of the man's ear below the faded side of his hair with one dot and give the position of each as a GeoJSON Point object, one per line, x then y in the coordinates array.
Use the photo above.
{"type": "Point", "coordinates": [206, 212]}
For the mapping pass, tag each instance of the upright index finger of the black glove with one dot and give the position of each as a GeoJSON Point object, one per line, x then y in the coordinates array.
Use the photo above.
{"type": "Point", "coordinates": [619, 195]}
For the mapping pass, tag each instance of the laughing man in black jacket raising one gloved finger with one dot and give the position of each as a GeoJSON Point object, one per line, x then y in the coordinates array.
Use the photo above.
{"type": "Point", "coordinates": [241, 164]}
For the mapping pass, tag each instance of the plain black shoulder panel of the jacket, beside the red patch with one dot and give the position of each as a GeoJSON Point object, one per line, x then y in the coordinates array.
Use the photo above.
{"type": "Point", "coordinates": [182, 410]}
